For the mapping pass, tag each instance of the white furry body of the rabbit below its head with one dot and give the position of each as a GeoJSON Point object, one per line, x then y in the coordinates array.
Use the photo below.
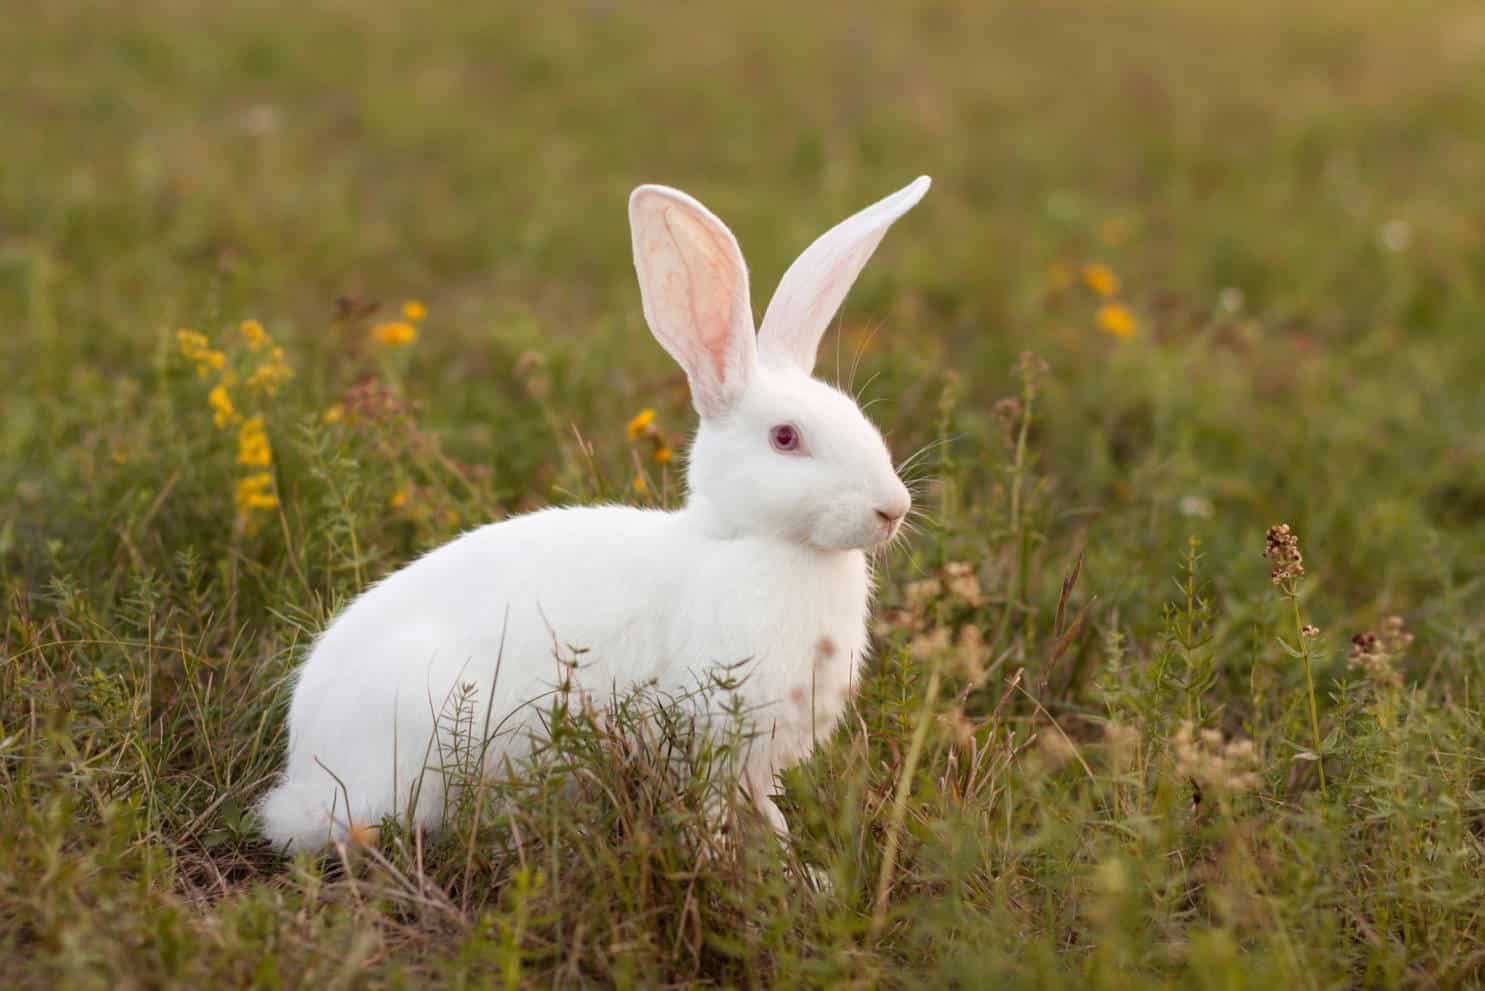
{"type": "Point", "coordinates": [375, 701]}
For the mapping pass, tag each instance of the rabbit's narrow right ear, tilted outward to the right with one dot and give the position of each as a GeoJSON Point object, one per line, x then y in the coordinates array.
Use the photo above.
{"type": "Point", "coordinates": [816, 285]}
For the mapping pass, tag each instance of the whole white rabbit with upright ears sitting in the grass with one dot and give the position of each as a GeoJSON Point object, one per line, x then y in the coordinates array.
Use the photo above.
{"type": "Point", "coordinates": [789, 485]}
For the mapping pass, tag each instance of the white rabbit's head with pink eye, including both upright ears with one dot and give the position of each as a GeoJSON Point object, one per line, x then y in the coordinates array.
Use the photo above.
{"type": "Point", "coordinates": [779, 454]}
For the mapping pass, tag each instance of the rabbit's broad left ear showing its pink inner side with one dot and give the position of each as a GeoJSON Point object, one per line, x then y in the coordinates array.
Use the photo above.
{"type": "Point", "coordinates": [694, 287]}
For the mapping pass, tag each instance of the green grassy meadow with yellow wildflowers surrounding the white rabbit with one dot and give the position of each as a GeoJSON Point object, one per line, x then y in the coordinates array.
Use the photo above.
{"type": "Point", "coordinates": [1091, 751]}
